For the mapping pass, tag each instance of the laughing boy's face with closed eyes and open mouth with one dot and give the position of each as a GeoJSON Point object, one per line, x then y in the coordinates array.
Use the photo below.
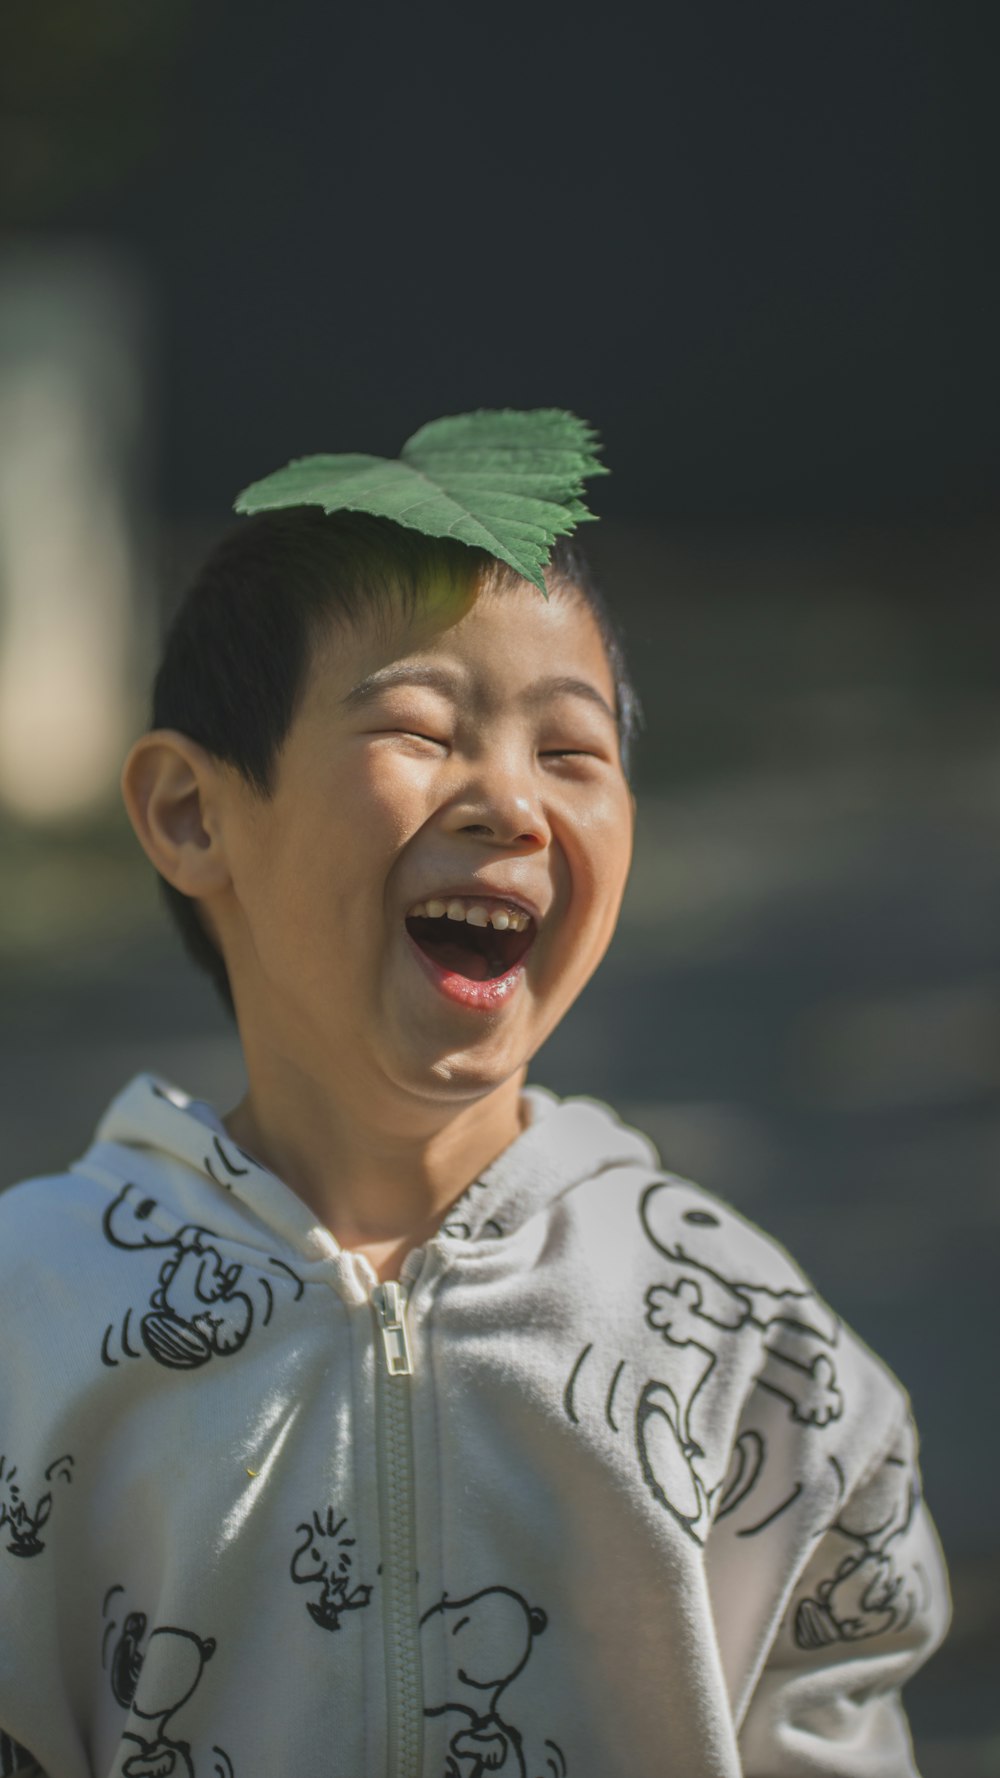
{"type": "Point", "coordinates": [490, 781]}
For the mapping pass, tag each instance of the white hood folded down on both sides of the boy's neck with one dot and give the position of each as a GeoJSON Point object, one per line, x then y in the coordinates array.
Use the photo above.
{"type": "Point", "coordinates": [179, 1151]}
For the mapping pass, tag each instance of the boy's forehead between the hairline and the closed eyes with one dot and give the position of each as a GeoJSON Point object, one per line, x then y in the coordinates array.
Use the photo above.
{"type": "Point", "coordinates": [488, 643]}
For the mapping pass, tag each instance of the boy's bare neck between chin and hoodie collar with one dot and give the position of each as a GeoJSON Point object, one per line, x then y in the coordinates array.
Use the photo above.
{"type": "Point", "coordinates": [380, 1176]}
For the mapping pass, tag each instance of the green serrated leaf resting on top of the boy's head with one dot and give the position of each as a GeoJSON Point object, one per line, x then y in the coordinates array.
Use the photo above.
{"type": "Point", "coordinates": [499, 481]}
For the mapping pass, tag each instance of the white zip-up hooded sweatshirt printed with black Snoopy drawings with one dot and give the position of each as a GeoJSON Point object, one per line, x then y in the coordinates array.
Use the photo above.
{"type": "Point", "coordinates": [601, 1489]}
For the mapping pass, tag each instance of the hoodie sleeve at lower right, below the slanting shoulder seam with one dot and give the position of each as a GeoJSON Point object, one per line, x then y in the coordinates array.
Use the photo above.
{"type": "Point", "coordinates": [869, 1606]}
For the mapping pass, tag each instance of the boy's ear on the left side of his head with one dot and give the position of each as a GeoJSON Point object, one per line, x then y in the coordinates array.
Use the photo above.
{"type": "Point", "coordinates": [173, 796]}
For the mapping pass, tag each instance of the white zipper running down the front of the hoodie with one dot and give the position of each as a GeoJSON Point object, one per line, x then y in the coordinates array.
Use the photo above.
{"type": "Point", "coordinates": [394, 1443]}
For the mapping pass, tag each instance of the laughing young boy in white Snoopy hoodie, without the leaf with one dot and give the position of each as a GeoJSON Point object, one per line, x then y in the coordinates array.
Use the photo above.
{"type": "Point", "coordinates": [410, 1420]}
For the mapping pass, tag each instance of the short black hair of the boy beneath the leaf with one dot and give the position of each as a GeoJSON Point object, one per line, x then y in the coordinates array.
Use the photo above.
{"type": "Point", "coordinates": [238, 652]}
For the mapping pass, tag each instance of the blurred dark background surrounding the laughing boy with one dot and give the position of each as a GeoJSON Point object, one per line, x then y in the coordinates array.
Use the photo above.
{"type": "Point", "coordinates": [757, 248]}
